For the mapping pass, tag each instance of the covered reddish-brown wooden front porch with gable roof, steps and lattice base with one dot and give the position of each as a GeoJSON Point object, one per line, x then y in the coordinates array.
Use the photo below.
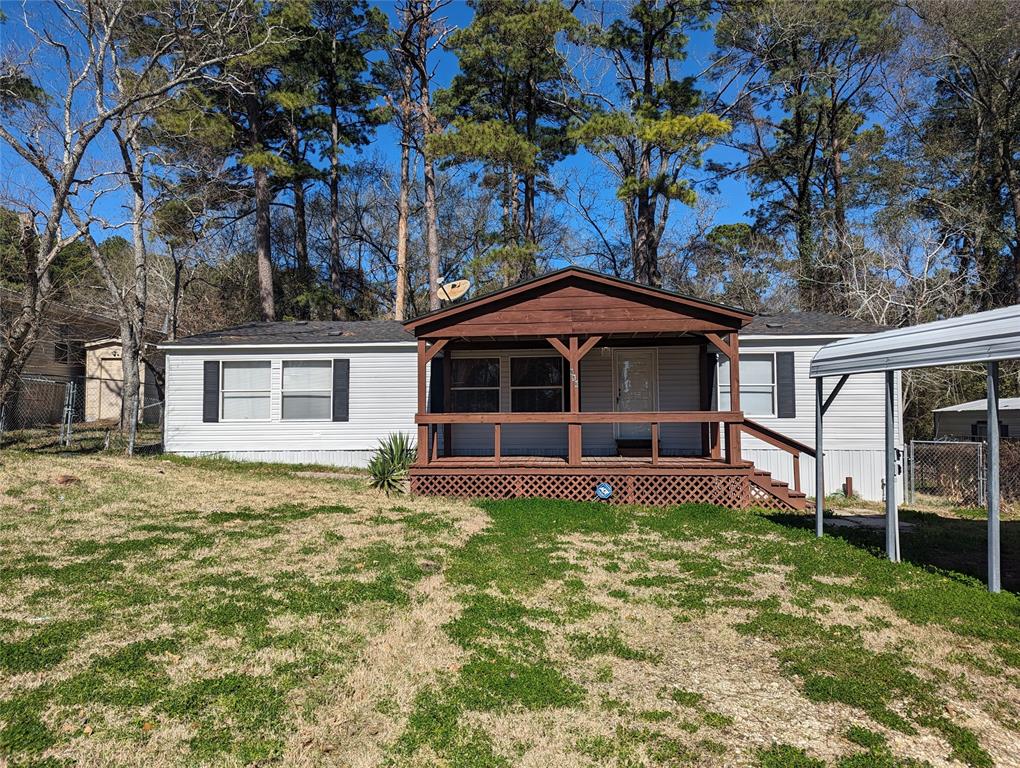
{"type": "Point", "coordinates": [560, 385]}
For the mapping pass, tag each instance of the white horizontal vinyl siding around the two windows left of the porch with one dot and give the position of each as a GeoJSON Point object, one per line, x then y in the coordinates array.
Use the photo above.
{"type": "Point", "coordinates": [383, 400]}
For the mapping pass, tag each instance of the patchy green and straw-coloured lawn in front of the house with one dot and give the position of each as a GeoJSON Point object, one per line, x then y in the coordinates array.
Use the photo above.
{"type": "Point", "coordinates": [159, 612]}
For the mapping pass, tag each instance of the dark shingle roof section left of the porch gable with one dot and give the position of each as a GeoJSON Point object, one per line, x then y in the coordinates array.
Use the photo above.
{"type": "Point", "coordinates": [301, 332]}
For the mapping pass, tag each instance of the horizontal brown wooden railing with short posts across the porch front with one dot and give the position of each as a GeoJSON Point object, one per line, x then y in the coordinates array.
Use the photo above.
{"type": "Point", "coordinates": [429, 435]}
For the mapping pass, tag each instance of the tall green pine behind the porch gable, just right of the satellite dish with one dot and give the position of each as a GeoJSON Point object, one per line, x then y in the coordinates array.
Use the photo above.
{"type": "Point", "coordinates": [509, 109]}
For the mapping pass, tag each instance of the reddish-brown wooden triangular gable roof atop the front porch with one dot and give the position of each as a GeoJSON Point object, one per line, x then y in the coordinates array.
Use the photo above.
{"type": "Point", "coordinates": [579, 301]}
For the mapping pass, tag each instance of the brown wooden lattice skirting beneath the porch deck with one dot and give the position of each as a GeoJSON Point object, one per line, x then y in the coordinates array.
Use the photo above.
{"type": "Point", "coordinates": [651, 490]}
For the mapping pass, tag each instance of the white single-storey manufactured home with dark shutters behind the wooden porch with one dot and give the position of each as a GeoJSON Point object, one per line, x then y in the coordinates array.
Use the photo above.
{"type": "Point", "coordinates": [326, 393]}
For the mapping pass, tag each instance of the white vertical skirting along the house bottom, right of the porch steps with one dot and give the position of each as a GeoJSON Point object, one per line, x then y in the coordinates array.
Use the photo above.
{"type": "Point", "coordinates": [866, 467]}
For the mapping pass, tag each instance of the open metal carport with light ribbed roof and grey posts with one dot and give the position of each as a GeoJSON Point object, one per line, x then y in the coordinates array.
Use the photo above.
{"type": "Point", "coordinates": [981, 338]}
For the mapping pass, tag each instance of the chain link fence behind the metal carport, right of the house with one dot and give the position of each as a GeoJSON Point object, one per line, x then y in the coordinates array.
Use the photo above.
{"type": "Point", "coordinates": [955, 474]}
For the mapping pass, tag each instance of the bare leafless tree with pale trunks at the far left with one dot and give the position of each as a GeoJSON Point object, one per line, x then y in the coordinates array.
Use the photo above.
{"type": "Point", "coordinates": [101, 92]}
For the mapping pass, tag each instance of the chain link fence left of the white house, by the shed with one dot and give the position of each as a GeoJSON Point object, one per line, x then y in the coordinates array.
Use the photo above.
{"type": "Point", "coordinates": [49, 415]}
